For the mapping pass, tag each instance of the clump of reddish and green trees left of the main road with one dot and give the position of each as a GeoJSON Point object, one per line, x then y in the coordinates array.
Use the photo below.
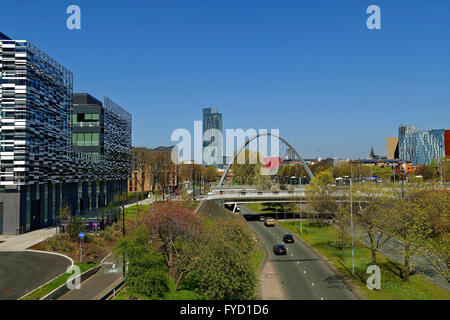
{"type": "Point", "coordinates": [169, 243]}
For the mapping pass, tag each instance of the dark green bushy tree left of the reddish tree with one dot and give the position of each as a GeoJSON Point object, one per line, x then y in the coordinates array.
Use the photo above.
{"type": "Point", "coordinates": [146, 272]}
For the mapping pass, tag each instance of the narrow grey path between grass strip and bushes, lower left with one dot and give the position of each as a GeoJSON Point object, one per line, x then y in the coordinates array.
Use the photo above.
{"type": "Point", "coordinates": [91, 288]}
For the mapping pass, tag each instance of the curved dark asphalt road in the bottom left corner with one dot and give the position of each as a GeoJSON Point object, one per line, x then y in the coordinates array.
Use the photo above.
{"type": "Point", "coordinates": [22, 272]}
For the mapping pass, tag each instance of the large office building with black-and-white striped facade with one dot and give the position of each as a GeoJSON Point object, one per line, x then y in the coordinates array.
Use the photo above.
{"type": "Point", "coordinates": [40, 170]}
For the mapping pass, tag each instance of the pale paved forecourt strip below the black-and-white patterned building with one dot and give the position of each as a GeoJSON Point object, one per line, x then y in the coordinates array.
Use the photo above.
{"type": "Point", "coordinates": [24, 241]}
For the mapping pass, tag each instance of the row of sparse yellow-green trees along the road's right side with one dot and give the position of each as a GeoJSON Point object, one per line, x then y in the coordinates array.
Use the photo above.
{"type": "Point", "coordinates": [417, 216]}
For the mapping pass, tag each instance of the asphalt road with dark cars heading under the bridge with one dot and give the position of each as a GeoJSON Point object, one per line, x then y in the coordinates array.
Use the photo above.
{"type": "Point", "coordinates": [304, 275]}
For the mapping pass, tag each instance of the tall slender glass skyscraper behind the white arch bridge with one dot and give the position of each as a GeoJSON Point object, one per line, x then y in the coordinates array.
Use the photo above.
{"type": "Point", "coordinates": [212, 120]}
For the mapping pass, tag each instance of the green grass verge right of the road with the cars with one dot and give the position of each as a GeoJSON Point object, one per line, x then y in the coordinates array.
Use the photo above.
{"type": "Point", "coordinates": [392, 286]}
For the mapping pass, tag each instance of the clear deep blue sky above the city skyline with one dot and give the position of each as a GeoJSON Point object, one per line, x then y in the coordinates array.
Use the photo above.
{"type": "Point", "coordinates": [309, 68]}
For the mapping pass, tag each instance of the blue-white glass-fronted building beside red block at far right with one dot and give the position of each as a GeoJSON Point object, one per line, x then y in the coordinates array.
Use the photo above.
{"type": "Point", "coordinates": [422, 147]}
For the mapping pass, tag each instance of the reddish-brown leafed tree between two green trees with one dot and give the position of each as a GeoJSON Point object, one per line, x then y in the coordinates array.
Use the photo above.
{"type": "Point", "coordinates": [174, 226]}
